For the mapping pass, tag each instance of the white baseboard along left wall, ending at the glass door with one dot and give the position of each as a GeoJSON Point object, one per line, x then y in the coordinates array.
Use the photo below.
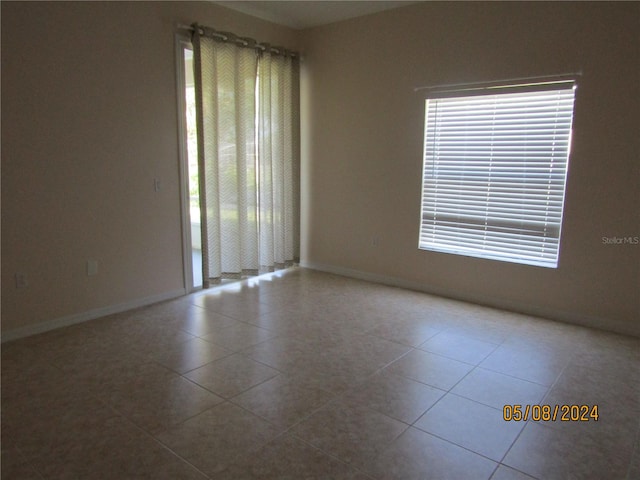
{"type": "Point", "coordinates": [89, 315]}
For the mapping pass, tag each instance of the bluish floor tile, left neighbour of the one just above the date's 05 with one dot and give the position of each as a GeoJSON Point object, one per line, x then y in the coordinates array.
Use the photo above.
{"type": "Point", "coordinates": [434, 370]}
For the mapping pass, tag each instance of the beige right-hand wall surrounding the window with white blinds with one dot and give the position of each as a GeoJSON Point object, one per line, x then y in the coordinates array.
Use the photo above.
{"type": "Point", "coordinates": [362, 136]}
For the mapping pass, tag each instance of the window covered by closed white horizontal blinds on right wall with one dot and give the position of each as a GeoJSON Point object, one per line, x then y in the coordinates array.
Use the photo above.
{"type": "Point", "coordinates": [495, 168]}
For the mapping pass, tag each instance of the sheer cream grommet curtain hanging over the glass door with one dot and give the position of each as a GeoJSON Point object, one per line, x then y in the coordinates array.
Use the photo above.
{"type": "Point", "coordinates": [247, 114]}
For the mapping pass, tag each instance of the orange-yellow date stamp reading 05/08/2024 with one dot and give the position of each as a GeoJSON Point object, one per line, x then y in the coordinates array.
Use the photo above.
{"type": "Point", "coordinates": [550, 413]}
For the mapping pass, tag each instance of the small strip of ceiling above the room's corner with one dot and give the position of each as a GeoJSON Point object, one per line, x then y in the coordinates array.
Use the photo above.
{"type": "Point", "coordinates": [306, 14]}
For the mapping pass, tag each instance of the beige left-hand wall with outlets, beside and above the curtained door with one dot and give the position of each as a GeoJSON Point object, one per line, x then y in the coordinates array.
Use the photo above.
{"type": "Point", "coordinates": [89, 119]}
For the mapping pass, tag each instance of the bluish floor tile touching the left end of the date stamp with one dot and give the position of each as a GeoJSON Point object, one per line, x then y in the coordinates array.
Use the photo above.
{"type": "Point", "coordinates": [471, 425]}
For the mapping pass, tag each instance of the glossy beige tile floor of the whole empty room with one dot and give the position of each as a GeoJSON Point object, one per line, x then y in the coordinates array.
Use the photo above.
{"type": "Point", "coordinates": [306, 375]}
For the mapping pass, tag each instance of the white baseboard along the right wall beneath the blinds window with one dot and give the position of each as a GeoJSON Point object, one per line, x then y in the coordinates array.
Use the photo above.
{"type": "Point", "coordinates": [534, 310]}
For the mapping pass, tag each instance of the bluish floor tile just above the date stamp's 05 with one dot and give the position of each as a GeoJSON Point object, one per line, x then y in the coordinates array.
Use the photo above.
{"type": "Point", "coordinates": [496, 389]}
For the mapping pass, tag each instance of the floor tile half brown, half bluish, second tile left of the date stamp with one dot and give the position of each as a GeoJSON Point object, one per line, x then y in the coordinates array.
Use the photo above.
{"type": "Point", "coordinates": [397, 397]}
